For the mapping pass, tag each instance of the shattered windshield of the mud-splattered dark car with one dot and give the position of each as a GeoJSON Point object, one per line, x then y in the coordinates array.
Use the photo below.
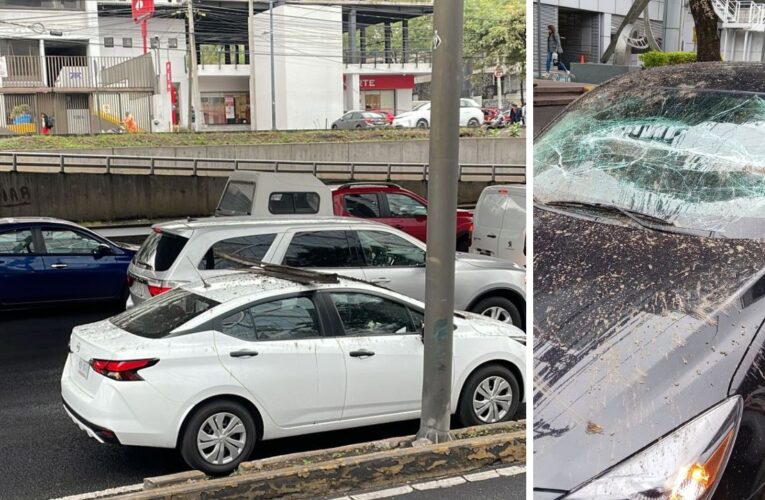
{"type": "Point", "coordinates": [694, 158]}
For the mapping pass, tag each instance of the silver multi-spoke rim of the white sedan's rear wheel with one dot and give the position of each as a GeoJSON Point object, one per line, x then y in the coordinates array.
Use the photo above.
{"type": "Point", "coordinates": [221, 438]}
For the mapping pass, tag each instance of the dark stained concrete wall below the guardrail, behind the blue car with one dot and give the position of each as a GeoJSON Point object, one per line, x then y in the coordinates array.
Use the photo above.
{"type": "Point", "coordinates": [103, 198]}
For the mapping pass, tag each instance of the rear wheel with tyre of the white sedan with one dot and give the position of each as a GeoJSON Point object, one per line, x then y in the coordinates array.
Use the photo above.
{"type": "Point", "coordinates": [218, 437]}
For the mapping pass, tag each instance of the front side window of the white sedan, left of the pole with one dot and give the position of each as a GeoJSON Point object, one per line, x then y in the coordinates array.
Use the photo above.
{"type": "Point", "coordinates": [363, 314]}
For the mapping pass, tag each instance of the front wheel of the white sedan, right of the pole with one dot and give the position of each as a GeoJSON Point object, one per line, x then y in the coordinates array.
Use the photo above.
{"type": "Point", "coordinates": [490, 395]}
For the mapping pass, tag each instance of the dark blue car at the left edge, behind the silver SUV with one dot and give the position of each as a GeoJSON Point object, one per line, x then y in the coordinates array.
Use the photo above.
{"type": "Point", "coordinates": [47, 261]}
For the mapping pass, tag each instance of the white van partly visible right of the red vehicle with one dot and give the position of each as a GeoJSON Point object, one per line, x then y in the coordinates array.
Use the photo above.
{"type": "Point", "coordinates": [499, 224]}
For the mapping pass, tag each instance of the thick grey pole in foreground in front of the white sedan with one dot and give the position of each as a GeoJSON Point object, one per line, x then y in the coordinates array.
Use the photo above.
{"type": "Point", "coordinates": [442, 205]}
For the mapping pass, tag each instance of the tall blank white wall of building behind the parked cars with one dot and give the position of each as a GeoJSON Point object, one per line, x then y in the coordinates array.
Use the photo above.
{"type": "Point", "coordinates": [308, 69]}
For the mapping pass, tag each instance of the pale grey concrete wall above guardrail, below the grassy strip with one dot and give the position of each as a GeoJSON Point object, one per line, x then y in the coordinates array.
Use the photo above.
{"type": "Point", "coordinates": [481, 150]}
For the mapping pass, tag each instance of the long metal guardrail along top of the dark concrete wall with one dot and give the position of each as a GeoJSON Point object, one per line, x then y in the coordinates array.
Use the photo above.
{"type": "Point", "coordinates": [64, 163]}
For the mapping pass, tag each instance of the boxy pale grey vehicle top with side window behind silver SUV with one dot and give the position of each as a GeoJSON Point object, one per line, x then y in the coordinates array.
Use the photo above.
{"type": "Point", "coordinates": [266, 193]}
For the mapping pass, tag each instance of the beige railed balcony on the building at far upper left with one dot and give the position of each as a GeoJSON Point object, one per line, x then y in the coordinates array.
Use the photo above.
{"type": "Point", "coordinates": [35, 74]}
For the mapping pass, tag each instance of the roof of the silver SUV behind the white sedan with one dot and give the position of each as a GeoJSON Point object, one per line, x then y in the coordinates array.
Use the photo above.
{"type": "Point", "coordinates": [286, 221]}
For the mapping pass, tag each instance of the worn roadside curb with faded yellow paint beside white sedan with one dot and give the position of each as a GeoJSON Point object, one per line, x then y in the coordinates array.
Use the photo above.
{"type": "Point", "coordinates": [349, 468]}
